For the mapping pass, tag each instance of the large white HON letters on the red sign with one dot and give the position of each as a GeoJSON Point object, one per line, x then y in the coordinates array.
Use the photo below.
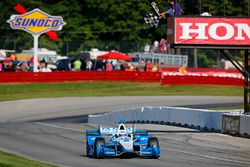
{"type": "Point", "coordinates": [230, 31]}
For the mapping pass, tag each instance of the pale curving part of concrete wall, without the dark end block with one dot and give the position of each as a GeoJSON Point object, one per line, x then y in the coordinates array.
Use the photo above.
{"type": "Point", "coordinates": [184, 116]}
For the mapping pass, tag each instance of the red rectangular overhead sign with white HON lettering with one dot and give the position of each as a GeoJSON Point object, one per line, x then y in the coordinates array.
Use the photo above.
{"type": "Point", "coordinates": [211, 31]}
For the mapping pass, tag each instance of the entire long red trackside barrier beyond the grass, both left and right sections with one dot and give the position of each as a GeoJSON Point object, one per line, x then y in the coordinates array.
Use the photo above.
{"type": "Point", "coordinates": [166, 78]}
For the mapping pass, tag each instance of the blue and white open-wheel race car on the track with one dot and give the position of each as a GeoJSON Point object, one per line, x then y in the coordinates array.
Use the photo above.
{"type": "Point", "coordinates": [121, 141]}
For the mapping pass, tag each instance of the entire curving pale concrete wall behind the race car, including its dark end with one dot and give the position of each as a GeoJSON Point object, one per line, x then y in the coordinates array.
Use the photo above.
{"type": "Point", "coordinates": [213, 120]}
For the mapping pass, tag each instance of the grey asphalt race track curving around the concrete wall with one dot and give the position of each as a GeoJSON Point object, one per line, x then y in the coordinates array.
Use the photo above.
{"type": "Point", "coordinates": [51, 130]}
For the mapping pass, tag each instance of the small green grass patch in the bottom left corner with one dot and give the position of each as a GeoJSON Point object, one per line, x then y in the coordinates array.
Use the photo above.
{"type": "Point", "coordinates": [11, 160]}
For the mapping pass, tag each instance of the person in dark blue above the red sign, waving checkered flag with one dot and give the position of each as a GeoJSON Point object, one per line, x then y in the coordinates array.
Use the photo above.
{"type": "Point", "coordinates": [174, 10]}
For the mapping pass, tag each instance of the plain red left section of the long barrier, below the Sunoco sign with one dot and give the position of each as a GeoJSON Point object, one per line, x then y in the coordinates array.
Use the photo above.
{"type": "Point", "coordinates": [128, 76]}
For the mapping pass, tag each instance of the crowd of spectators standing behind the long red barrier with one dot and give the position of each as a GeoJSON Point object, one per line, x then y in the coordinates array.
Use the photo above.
{"type": "Point", "coordinates": [11, 64]}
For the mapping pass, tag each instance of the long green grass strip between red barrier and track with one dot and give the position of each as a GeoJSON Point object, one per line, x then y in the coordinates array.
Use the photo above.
{"type": "Point", "coordinates": [78, 89]}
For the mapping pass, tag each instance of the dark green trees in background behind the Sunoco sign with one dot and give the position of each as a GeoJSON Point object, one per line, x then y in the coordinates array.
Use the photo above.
{"type": "Point", "coordinates": [93, 21]}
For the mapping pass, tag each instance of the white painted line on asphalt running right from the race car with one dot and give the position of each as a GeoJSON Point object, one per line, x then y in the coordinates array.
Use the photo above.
{"type": "Point", "coordinates": [206, 156]}
